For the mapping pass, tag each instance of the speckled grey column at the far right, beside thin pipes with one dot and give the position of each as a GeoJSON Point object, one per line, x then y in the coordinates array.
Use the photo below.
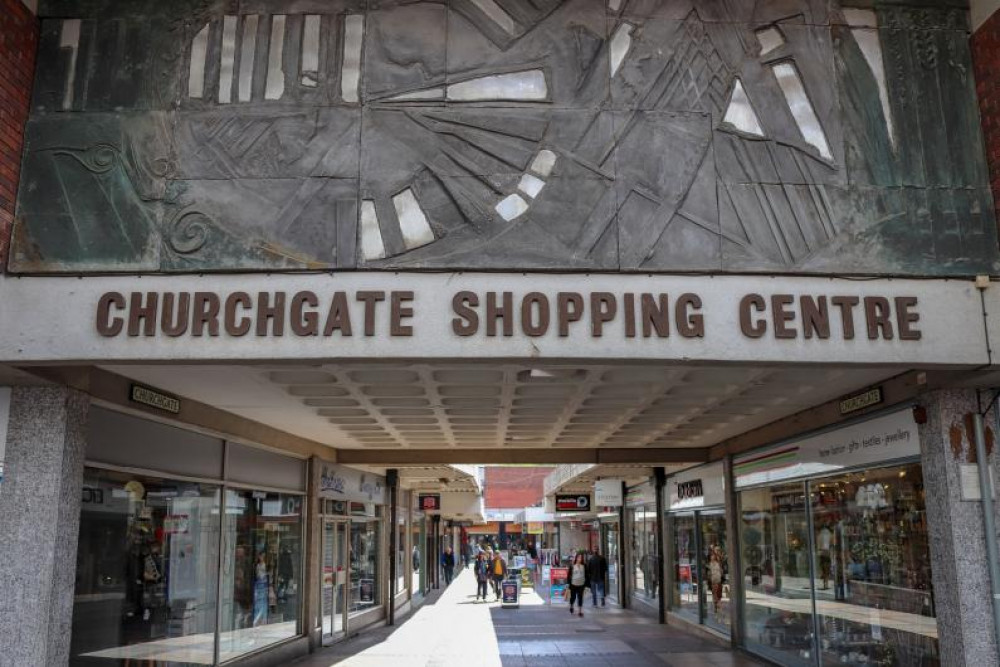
{"type": "Point", "coordinates": [960, 571]}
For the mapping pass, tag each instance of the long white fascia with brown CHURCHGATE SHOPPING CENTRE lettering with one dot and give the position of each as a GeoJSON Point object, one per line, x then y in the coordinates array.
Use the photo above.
{"type": "Point", "coordinates": [463, 315]}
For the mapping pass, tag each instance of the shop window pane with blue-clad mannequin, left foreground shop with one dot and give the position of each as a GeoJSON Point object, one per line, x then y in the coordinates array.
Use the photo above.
{"type": "Point", "coordinates": [261, 572]}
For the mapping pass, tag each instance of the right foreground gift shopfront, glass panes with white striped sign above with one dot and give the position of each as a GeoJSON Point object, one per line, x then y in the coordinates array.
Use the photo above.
{"type": "Point", "coordinates": [836, 566]}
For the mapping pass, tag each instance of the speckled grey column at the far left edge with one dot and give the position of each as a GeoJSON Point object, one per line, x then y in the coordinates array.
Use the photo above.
{"type": "Point", "coordinates": [40, 518]}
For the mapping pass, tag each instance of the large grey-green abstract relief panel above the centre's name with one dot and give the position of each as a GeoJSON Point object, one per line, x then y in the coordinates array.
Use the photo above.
{"type": "Point", "coordinates": [633, 135]}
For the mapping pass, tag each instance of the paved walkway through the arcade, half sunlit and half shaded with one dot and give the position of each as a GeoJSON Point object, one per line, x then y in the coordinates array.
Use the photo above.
{"type": "Point", "coordinates": [452, 628]}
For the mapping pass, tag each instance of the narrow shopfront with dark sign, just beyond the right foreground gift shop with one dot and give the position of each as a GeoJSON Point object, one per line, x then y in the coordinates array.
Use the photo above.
{"type": "Point", "coordinates": [700, 588]}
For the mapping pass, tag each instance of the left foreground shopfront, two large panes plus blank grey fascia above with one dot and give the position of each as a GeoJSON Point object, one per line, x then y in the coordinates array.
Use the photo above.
{"type": "Point", "coordinates": [175, 568]}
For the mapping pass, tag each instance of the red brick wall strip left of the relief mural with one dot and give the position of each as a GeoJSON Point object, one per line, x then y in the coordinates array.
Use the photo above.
{"type": "Point", "coordinates": [18, 41]}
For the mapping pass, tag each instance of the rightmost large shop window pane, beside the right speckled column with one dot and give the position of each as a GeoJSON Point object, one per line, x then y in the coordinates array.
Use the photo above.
{"type": "Point", "coordinates": [874, 600]}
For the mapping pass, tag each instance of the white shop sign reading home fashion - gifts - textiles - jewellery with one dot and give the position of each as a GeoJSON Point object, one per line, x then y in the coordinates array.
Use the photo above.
{"type": "Point", "coordinates": [876, 440]}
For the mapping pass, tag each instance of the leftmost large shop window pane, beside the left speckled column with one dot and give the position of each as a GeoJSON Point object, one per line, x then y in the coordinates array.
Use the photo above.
{"type": "Point", "coordinates": [146, 571]}
